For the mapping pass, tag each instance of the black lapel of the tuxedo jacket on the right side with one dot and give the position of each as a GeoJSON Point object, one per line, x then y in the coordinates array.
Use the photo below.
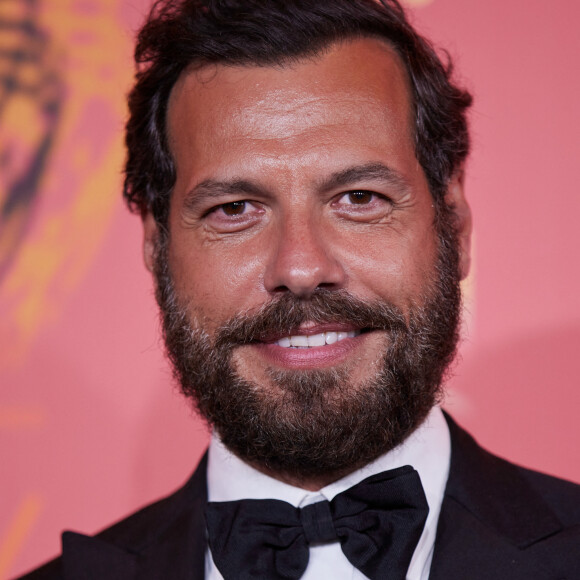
{"type": "Point", "coordinates": [491, 519]}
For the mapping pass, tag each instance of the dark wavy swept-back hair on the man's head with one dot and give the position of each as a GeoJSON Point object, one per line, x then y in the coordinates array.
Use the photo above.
{"type": "Point", "coordinates": [180, 33]}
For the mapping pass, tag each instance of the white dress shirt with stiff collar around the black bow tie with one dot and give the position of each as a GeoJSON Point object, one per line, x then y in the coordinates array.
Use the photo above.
{"type": "Point", "coordinates": [428, 450]}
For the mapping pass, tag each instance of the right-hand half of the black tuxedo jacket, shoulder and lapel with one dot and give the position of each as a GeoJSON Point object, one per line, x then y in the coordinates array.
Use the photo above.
{"type": "Point", "coordinates": [500, 520]}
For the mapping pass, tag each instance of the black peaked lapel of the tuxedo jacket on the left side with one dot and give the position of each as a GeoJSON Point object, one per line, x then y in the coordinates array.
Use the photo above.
{"type": "Point", "coordinates": [165, 540]}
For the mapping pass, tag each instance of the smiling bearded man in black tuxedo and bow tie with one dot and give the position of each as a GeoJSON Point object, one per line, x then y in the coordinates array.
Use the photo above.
{"type": "Point", "coordinates": [298, 166]}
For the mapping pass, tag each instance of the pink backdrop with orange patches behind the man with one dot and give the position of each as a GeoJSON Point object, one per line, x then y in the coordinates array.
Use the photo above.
{"type": "Point", "coordinates": [91, 426]}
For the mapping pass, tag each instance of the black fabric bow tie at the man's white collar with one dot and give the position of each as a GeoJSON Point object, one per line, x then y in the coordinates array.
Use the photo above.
{"type": "Point", "coordinates": [378, 523]}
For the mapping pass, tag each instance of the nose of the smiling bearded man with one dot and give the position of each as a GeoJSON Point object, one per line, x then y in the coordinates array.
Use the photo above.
{"type": "Point", "coordinates": [303, 259]}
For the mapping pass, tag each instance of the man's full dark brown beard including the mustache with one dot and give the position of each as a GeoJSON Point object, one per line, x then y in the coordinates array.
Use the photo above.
{"type": "Point", "coordinates": [316, 423]}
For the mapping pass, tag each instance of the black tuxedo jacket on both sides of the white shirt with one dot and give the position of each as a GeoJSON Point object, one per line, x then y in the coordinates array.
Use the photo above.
{"type": "Point", "coordinates": [498, 522]}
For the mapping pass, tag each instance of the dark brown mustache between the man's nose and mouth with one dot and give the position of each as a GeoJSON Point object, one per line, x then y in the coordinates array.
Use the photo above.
{"type": "Point", "coordinates": [285, 314]}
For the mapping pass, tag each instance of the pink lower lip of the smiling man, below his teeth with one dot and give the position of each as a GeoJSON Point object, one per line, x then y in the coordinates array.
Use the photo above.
{"type": "Point", "coordinates": [313, 357]}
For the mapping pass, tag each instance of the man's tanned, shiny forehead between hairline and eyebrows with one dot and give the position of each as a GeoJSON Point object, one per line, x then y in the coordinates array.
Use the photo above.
{"type": "Point", "coordinates": [349, 84]}
